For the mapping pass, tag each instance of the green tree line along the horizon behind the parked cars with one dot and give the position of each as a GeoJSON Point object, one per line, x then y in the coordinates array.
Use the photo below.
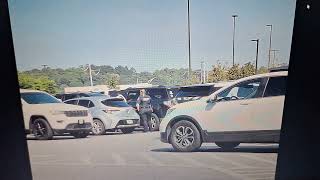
{"type": "Point", "coordinates": [54, 80]}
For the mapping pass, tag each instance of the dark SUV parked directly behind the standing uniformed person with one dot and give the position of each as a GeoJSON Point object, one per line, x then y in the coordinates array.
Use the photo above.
{"type": "Point", "coordinates": [161, 101]}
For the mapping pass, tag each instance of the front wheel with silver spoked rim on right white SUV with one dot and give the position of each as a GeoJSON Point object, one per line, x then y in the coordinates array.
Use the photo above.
{"type": "Point", "coordinates": [185, 137]}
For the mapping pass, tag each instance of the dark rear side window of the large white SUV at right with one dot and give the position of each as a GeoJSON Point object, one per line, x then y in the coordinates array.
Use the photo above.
{"type": "Point", "coordinates": [276, 86]}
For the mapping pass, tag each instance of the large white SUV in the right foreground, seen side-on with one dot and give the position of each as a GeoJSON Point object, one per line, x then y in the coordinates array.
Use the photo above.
{"type": "Point", "coordinates": [247, 111]}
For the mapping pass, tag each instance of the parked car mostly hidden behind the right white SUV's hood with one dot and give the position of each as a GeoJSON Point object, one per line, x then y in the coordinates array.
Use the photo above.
{"type": "Point", "coordinates": [196, 92]}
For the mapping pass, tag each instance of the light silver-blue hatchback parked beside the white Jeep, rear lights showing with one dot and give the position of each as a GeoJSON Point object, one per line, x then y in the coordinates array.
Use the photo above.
{"type": "Point", "coordinates": [109, 113]}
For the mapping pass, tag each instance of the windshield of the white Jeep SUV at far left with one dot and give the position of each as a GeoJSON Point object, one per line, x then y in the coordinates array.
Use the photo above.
{"type": "Point", "coordinates": [38, 98]}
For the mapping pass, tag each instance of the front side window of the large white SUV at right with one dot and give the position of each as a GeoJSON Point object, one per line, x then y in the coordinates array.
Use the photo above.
{"type": "Point", "coordinates": [244, 90]}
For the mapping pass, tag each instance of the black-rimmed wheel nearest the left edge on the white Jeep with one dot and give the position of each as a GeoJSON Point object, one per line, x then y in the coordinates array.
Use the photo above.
{"type": "Point", "coordinates": [41, 129]}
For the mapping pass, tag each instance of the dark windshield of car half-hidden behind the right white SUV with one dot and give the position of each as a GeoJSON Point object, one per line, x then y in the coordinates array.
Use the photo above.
{"type": "Point", "coordinates": [194, 91]}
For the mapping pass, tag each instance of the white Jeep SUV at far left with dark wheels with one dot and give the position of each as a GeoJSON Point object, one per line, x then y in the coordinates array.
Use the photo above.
{"type": "Point", "coordinates": [46, 116]}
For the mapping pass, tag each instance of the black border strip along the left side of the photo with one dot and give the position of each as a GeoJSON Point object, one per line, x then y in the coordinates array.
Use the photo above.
{"type": "Point", "coordinates": [14, 156]}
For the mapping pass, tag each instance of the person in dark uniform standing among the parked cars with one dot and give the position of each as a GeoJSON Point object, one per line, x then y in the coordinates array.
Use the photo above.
{"type": "Point", "coordinates": [145, 109]}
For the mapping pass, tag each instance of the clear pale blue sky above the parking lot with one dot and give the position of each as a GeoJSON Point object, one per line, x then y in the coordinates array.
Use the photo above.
{"type": "Point", "coordinates": [147, 34]}
